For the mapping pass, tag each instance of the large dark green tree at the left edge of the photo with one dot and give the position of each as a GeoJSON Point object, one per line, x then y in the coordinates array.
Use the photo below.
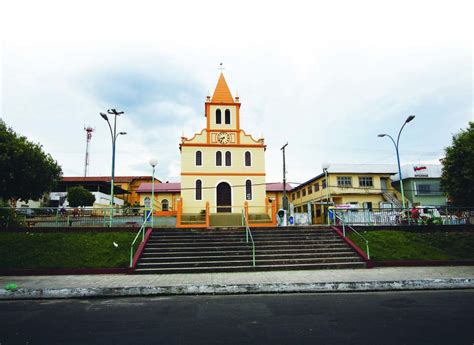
{"type": "Point", "coordinates": [26, 171]}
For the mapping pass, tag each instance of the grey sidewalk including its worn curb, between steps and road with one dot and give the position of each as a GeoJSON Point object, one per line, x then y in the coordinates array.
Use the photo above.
{"type": "Point", "coordinates": [108, 285]}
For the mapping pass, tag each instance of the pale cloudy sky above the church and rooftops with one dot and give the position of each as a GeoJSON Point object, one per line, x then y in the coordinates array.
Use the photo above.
{"type": "Point", "coordinates": [326, 77]}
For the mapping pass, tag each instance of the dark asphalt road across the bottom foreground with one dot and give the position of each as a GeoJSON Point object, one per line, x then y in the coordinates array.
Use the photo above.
{"type": "Point", "coordinates": [428, 317]}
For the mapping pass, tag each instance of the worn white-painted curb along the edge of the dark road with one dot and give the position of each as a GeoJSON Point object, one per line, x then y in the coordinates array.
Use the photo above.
{"type": "Point", "coordinates": [230, 289]}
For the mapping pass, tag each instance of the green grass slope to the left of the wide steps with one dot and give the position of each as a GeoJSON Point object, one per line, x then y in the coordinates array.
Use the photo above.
{"type": "Point", "coordinates": [65, 250]}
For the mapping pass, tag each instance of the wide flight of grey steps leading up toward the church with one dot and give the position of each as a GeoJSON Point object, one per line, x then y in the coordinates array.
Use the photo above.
{"type": "Point", "coordinates": [225, 250]}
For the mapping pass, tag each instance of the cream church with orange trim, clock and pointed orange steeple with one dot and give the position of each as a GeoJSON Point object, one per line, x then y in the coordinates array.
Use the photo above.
{"type": "Point", "coordinates": [222, 167]}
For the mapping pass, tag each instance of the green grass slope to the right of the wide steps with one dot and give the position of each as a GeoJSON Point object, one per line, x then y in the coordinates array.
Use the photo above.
{"type": "Point", "coordinates": [402, 245]}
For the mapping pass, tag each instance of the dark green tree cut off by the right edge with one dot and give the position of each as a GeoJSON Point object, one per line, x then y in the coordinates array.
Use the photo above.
{"type": "Point", "coordinates": [457, 178]}
